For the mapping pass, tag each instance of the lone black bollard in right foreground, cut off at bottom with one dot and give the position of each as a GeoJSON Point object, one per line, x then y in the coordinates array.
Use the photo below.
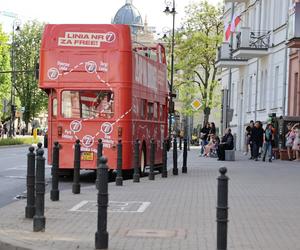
{"type": "Point", "coordinates": [222, 210]}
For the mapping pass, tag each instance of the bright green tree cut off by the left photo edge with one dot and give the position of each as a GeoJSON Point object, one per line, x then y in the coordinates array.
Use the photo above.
{"type": "Point", "coordinates": [5, 82]}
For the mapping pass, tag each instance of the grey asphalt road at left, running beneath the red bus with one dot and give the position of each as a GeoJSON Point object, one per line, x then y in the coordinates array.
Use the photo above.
{"type": "Point", "coordinates": [13, 170]}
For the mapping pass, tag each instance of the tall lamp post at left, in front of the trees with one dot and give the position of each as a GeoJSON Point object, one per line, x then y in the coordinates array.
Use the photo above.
{"type": "Point", "coordinates": [16, 27]}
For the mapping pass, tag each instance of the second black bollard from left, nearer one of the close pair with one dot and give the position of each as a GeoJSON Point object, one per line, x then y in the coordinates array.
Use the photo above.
{"type": "Point", "coordinates": [39, 220]}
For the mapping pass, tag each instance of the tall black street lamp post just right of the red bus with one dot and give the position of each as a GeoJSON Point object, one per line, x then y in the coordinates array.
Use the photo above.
{"type": "Point", "coordinates": [171, 104]}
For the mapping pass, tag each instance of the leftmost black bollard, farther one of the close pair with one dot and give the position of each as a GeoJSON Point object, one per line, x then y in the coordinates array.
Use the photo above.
{"type": "Point", "coordinates": [30, 208]}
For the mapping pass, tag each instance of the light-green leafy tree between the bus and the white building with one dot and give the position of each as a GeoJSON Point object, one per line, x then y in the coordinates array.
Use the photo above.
{"type": "Point", "coordinates": [197, 43]}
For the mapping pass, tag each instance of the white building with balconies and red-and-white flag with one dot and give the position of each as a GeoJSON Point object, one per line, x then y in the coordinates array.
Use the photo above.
{"type": "Point", "coordinates": [254, 73]}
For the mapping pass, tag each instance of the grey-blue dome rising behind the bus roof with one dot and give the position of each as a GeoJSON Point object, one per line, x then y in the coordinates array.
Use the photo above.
{"type": "Point", "coordinates": [128, 14]}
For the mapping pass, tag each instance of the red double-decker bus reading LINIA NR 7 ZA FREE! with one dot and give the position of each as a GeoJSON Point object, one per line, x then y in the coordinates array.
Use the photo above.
{"type": "Point", "coordinates": [102, 85]}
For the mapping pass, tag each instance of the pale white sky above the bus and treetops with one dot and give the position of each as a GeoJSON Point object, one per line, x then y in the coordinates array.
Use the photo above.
{"type": "Point", "coordinates": [92, 11]}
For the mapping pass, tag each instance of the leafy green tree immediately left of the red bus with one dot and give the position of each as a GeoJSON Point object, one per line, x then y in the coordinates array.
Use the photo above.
{"type": "Point", "coordinates": [26, 56]}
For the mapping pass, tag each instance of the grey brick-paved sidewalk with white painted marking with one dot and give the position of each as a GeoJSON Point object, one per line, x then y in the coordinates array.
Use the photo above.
{"type": "Point", "coordinates": [174, 213]}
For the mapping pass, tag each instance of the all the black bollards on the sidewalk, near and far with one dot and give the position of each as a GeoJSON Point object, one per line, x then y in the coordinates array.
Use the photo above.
{"type": "Point", "coordinates": [36, 187]}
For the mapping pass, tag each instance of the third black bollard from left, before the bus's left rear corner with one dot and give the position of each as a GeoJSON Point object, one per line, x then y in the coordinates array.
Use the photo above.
{"type": "Point", "coordinates": [54, 193]}
